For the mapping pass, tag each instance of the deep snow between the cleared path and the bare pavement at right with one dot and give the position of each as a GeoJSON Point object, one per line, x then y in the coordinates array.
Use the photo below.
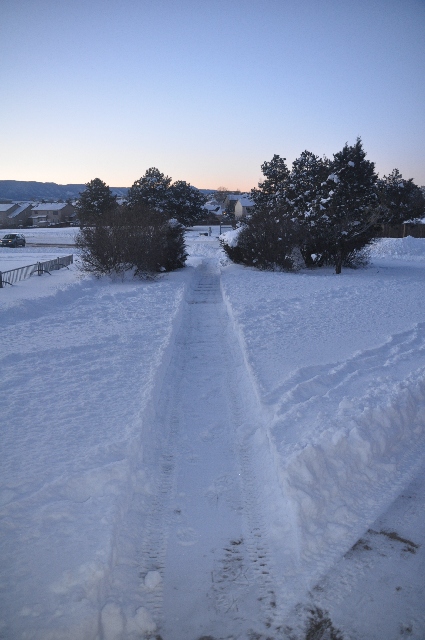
{"type": "Point", "coordinates": [342, 385]}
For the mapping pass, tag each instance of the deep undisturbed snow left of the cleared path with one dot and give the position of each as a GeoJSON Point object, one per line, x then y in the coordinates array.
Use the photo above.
{"type": "Point", "coordinates": [80, 362]}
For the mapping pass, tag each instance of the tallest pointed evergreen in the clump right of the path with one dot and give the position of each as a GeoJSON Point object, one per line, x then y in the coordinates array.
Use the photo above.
{"type": "Point", "coordinates": [350, 209]}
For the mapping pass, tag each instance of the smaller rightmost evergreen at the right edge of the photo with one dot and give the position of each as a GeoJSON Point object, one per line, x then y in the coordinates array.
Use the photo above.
{"type": "Point", "coordinates": [401, 199]}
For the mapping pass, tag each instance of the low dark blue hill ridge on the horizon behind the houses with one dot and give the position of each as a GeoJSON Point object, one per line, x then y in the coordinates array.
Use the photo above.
{"type": "Point", "coordinates": [31, 190]}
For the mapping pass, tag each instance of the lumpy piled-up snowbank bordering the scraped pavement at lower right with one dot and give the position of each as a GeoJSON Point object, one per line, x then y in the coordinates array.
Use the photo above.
{"type": "Point", "coordinates": [359, 456]}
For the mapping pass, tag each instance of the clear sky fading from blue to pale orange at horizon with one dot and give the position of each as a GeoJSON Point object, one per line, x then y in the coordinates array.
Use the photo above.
{"type": "Point", "coordinates": [207, 90]}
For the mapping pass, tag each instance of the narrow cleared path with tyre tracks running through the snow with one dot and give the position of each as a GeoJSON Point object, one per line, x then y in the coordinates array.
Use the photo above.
{"type": "Point", "coordinates": [201, 562]}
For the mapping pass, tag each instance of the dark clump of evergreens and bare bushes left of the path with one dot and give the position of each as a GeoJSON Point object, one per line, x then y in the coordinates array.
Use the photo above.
{"type": "Point", "coordinates": [144, 234]}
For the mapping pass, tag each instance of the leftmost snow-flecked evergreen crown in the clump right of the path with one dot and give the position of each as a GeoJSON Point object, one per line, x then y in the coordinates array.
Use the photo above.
{"type": "Point", "coordinates": [272, 190]}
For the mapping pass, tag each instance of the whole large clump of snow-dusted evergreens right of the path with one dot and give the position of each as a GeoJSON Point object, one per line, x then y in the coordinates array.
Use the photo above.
{"type": "Point", "coordinates": [322, 212]}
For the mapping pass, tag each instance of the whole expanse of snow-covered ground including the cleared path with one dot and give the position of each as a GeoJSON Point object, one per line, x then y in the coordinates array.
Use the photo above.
{"type": "Point", "coordinates": [223, 452]}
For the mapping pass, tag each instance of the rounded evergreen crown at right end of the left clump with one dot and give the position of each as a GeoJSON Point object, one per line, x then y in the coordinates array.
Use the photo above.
{"type": "Point", "coordinates": [185, 203]}
